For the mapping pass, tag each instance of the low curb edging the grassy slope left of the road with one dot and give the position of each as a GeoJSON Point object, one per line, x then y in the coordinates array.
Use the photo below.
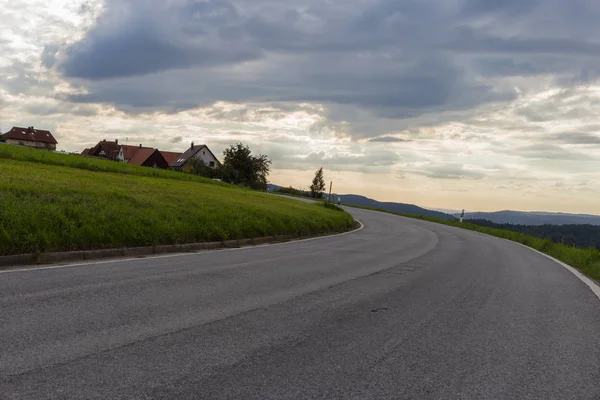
{"type": "Point", "coordinates": [15, 261]}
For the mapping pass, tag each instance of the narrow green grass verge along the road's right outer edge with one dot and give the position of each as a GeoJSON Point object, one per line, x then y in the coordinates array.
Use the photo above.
{"type": "Point", "coordinates": [585, 260]}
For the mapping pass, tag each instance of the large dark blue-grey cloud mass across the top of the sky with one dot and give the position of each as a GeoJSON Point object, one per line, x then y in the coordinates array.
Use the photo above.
{"type": "Point", "coordinates": [393, 59]}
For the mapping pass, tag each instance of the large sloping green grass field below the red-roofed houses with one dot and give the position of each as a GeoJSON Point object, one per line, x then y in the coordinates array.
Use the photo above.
{"type": "Point", "coordinates": [53, 202]}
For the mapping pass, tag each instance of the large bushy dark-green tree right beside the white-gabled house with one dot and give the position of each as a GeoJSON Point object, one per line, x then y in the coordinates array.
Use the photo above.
{"type": "Point", "coordinates": [242, 168]}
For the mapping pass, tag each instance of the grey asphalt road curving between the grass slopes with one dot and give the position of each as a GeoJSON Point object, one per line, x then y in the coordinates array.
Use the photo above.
{"type": "Point", "coordinates": [402, 309]}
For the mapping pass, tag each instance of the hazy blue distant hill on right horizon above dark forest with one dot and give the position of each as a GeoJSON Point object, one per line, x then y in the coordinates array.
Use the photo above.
{"type": "Point", "coordinates": [533, 218]}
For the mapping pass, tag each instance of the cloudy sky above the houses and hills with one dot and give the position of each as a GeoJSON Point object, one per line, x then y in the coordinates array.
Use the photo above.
{"type": "Point", "coordinates": [476, 104]}
